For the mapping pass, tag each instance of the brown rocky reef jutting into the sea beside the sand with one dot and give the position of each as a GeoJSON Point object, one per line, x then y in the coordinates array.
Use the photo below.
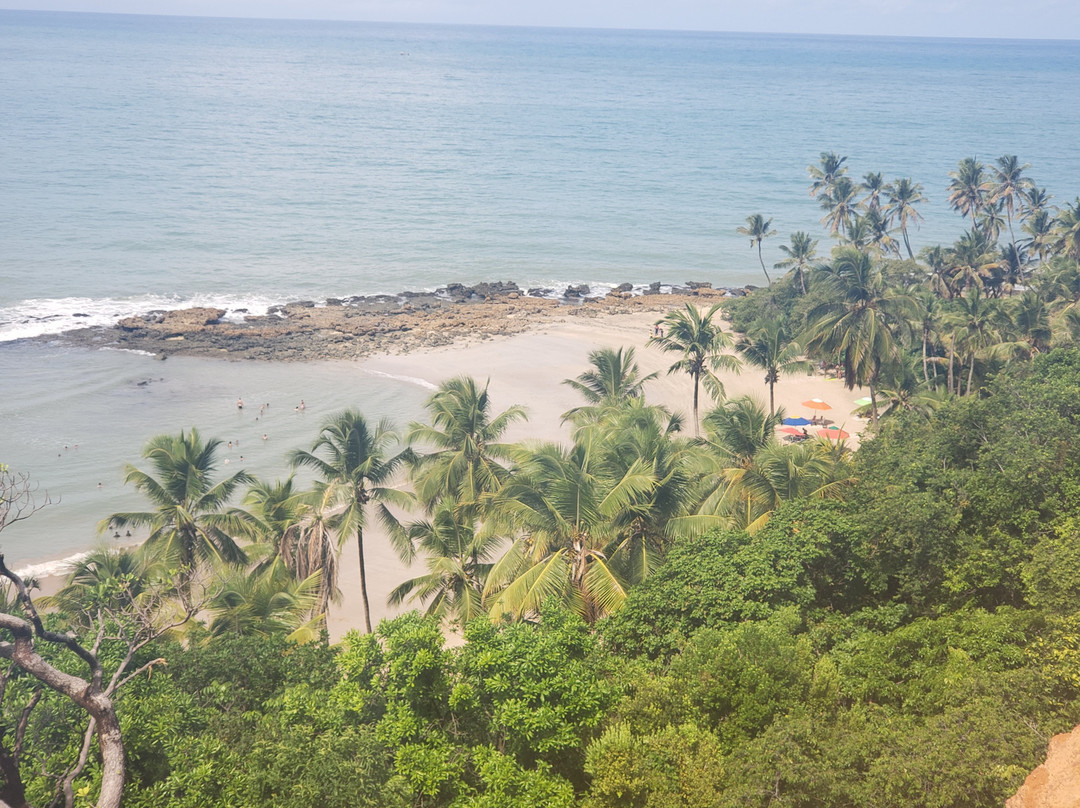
{"type": "Point", "coordinates": [349, 329]}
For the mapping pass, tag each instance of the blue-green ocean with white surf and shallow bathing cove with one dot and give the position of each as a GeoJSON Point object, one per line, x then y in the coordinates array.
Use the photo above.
{"type": "Point", "coordinates": [161, 163]}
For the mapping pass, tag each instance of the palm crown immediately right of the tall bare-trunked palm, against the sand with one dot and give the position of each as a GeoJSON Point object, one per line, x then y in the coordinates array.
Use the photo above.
{"type": "Point", "coordinates": [466, 462]}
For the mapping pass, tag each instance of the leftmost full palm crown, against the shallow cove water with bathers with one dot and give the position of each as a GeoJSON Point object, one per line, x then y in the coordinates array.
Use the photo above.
{"type": "Point", "coordinates": [193, 522]}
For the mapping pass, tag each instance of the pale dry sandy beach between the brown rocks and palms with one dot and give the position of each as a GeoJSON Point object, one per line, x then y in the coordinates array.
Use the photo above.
{"type": "Point", "coordinates": [525, 354]}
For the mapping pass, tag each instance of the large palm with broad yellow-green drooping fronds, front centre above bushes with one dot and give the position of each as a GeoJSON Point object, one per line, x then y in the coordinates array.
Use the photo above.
{"type": "Point", "coordinates": [564, 506]}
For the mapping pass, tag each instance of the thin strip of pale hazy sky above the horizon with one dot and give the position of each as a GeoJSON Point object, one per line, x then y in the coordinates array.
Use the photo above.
{"type": "Point", "coordinates": [1027, 19]}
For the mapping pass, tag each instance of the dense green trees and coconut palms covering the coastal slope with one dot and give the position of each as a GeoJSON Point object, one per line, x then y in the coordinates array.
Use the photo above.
{"type": "Point", "coordinates": [649, 618]}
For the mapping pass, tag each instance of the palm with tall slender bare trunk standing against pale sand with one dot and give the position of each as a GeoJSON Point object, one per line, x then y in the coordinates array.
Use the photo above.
{"type": "Point", "coordinates": [353, 461]}
